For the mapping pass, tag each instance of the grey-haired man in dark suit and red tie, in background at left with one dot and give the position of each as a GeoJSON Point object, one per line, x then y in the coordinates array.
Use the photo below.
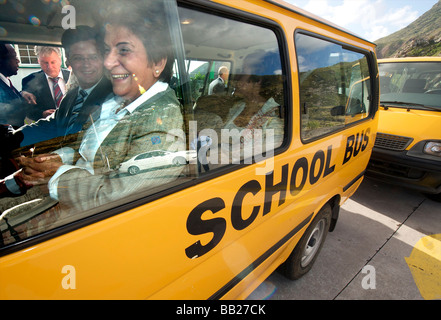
{"type": "Point", "coordinates": [46, 88]}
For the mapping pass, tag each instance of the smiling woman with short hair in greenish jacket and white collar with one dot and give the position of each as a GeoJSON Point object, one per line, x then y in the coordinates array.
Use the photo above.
{"type": "Point", "coordinates": [127, 125]}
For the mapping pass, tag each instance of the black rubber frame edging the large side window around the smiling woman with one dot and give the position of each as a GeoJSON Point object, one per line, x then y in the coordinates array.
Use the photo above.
{"type": "Point", "coordinates": [106, 212]}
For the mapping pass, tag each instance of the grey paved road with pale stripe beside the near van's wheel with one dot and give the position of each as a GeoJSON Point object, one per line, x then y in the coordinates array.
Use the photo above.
{"type": "Point", "coordinates": [364, 258]}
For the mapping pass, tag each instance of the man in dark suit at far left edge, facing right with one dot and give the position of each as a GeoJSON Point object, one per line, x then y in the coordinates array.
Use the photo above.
{"type": "Point", "coordinates": [12, 106]}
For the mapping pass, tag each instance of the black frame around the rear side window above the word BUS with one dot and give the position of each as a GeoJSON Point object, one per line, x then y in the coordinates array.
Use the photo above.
{"type": "Point", "coordinates": [373, 72]}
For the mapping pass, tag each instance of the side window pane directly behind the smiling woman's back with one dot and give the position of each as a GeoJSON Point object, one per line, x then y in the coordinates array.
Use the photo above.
{"type": "Point", "coordinates": [237, 89]}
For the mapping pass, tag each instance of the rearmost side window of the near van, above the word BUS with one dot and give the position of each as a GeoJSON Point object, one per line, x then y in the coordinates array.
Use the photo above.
{"type": "Point", "coordinates": [334, 86]}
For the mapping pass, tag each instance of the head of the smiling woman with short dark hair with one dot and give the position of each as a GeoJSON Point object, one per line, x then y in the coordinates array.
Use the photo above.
{"type": "Point", "coordinates": [137, 50]}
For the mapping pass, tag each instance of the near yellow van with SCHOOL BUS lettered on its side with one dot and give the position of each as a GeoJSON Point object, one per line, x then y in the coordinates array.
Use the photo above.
{"type": "Point", "coordinates": [246, 179]}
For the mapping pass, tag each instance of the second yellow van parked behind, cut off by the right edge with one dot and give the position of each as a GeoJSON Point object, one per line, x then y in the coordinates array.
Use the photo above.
{"type": "Point", "coordinates": [407, 151]}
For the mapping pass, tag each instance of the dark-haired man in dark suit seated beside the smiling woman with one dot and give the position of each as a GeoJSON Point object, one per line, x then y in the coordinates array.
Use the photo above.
{"type": "Point", "coordinates": [85, 55]}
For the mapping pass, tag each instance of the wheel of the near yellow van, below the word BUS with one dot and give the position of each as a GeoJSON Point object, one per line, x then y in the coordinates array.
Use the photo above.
{"type": "Point", "coordinates": [306, 251]}
